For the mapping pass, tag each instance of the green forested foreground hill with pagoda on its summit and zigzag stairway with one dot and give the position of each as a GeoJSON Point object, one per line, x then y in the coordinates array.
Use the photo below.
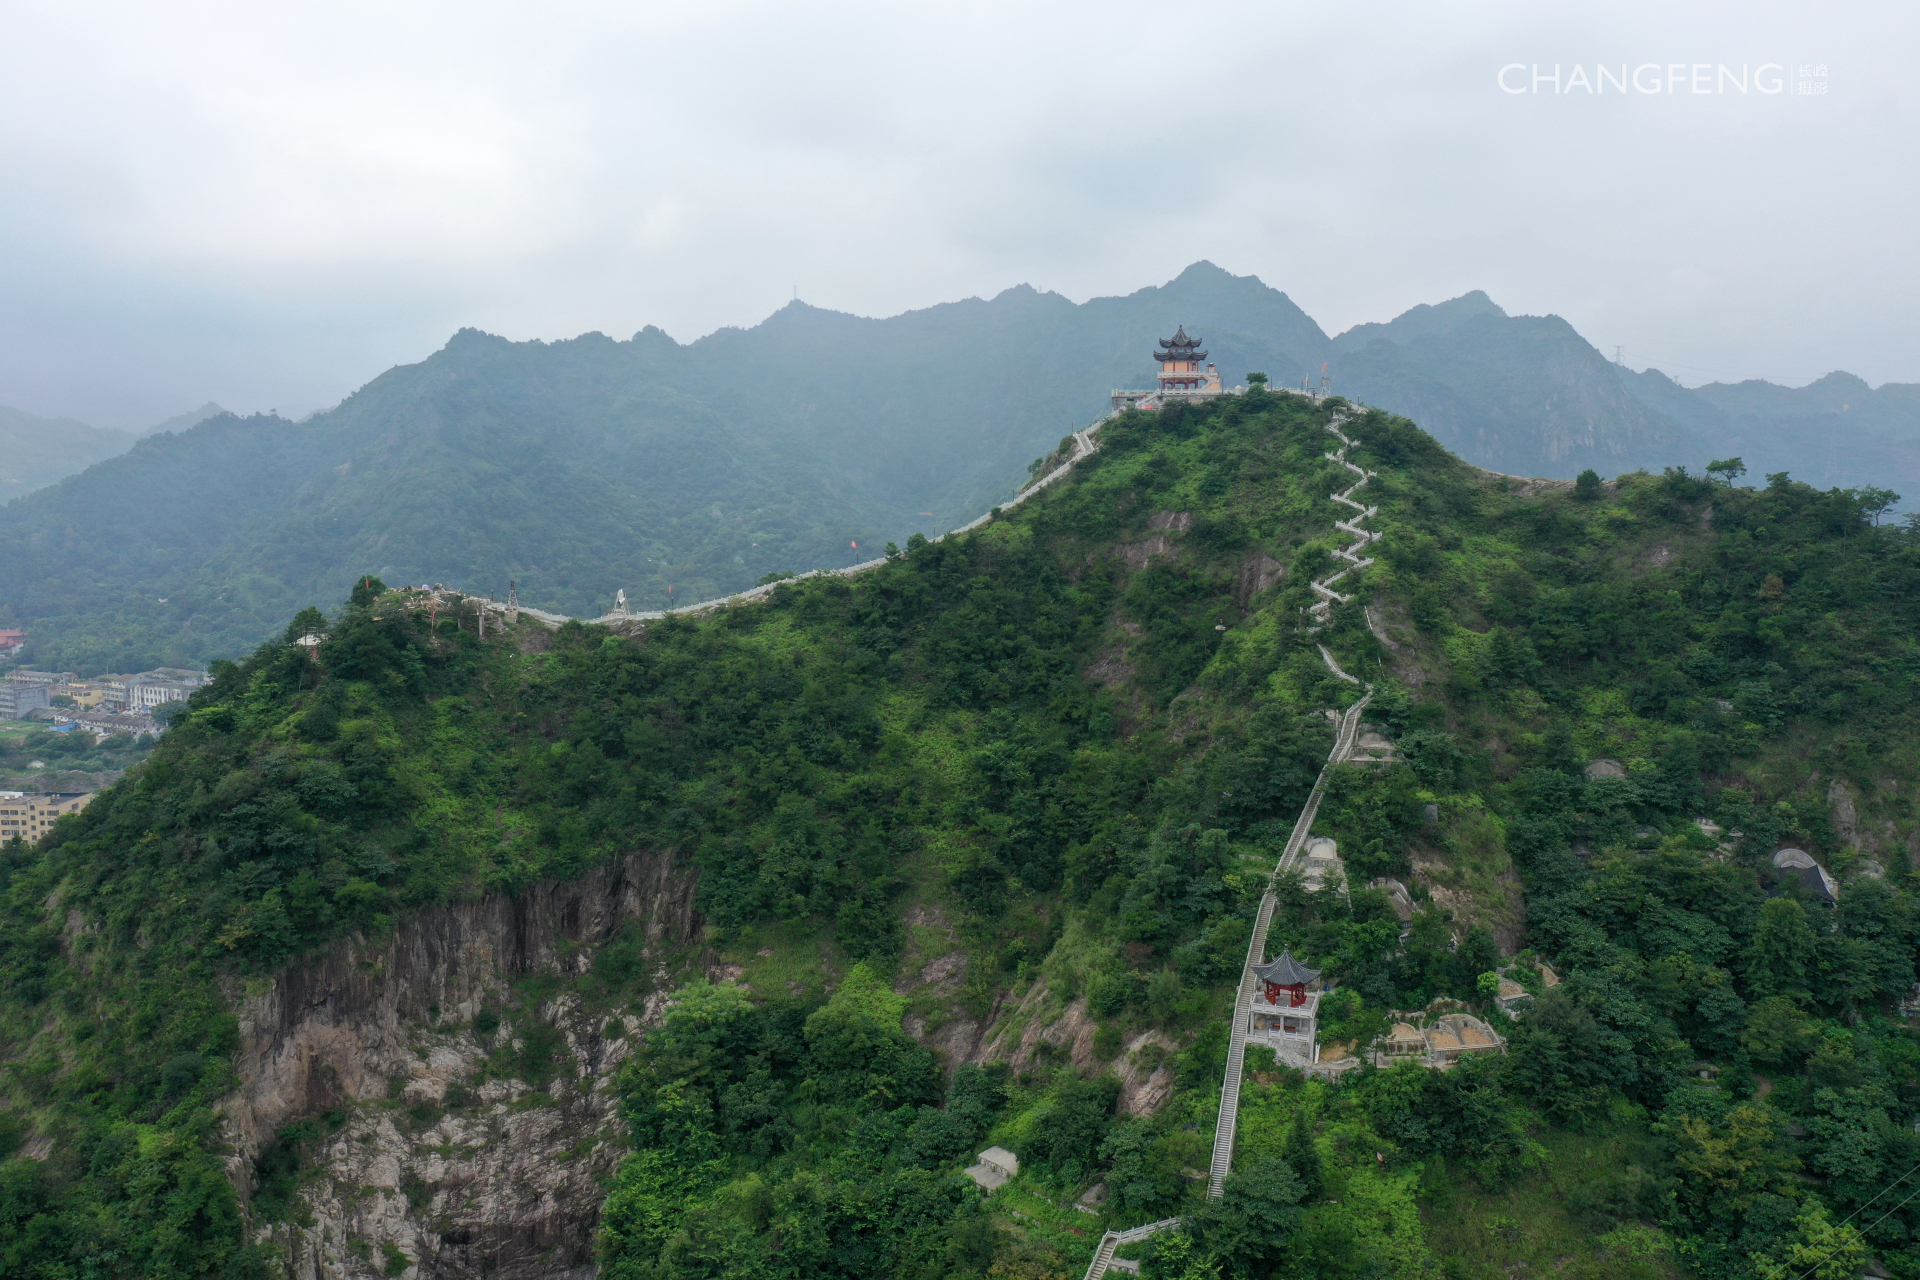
{"type": "Point", "coordinates": [1032, 784]}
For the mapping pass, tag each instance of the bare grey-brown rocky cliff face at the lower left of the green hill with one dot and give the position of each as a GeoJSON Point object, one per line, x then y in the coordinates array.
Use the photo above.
{"type": "Point", "coordinates": [446, 1145]}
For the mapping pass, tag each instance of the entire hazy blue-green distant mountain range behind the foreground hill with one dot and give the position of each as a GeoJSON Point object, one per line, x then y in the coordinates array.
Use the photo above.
{"type": "Point", "coordinates": [684, 471]}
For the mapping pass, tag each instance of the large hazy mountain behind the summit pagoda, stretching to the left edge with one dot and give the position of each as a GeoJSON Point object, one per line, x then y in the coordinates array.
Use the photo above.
{"type": "Point", "coordinates": [592, 465]}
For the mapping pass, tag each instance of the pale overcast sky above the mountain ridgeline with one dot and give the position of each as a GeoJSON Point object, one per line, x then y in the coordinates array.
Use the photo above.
{"type": "Point", "coordinates": [272, 204]}
